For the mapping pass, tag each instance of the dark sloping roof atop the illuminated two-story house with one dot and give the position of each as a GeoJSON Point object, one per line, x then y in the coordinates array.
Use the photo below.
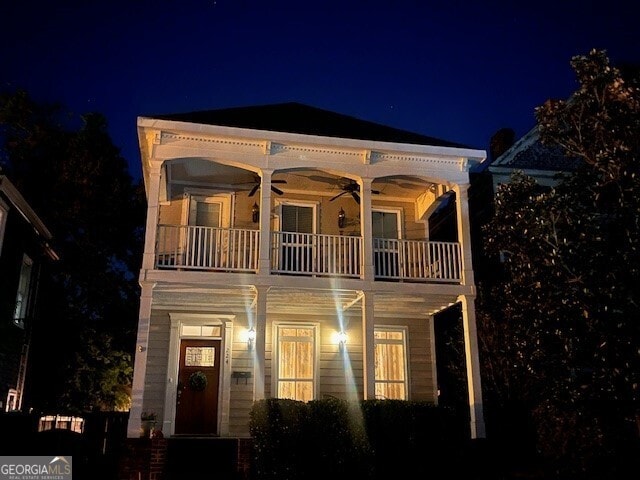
{"type": "Point", "coordinates": [303, 119]}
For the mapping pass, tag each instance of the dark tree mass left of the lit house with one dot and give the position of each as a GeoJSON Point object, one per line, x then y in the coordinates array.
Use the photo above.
{"type": "Point", "coordinates": [75, 178]}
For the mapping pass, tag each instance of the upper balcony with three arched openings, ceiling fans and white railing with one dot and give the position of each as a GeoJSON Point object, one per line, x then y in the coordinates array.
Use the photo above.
{"type": "Point", "coordinates": [214, 223]}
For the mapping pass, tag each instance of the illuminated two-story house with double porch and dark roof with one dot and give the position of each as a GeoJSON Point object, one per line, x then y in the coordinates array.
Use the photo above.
{"type": "Point", "coordinates": [288, 254]}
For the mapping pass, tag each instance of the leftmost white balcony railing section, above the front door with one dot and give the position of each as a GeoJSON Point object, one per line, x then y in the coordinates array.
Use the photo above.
{"type": "Point", "coordinates": [207, 248]}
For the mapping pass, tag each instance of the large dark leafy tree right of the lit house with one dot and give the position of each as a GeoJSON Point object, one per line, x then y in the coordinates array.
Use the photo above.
{"type": "Point", "coordinates": [566, 304]}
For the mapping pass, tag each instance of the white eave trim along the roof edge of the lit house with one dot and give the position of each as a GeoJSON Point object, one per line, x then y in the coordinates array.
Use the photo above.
{"type": "Point", "coordinates": [151, 122]}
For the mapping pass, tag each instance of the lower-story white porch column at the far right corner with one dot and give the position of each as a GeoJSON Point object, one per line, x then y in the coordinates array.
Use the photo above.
{"type": "Point", "coordinates": [472, 361]}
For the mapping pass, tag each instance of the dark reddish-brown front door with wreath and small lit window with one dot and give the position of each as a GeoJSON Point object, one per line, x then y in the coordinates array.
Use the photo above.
{"type": "Point", "coordinates": [197, 402]}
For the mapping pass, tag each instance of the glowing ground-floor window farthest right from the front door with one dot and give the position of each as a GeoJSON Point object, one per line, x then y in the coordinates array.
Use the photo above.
{"type": "Point", "coordinates": [390, 363]}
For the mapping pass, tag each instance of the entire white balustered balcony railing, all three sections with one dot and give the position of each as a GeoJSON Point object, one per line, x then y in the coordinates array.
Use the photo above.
{"type": "Point", "coordinates": [236, 250]}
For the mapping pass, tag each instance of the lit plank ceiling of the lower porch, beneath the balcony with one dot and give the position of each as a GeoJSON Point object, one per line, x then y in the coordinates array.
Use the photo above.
{"type": "Point", "coordinates": [238, 300]}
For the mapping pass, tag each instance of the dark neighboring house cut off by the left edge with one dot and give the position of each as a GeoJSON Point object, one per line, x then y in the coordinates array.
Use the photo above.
{"type": "Point", "coordinates": [24, 246]}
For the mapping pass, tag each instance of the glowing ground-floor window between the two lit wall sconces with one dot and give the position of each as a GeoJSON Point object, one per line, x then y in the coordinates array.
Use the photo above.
{"type": "Point", "coordinates": [295, 362]}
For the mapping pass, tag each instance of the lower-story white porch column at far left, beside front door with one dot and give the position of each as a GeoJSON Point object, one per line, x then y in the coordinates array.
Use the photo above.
{"type": "Point", "coordinates": [140, 362]}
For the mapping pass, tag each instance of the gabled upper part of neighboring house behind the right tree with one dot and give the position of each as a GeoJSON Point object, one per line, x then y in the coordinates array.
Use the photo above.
{"type": "Point", "coordinates": [546, 163]}
